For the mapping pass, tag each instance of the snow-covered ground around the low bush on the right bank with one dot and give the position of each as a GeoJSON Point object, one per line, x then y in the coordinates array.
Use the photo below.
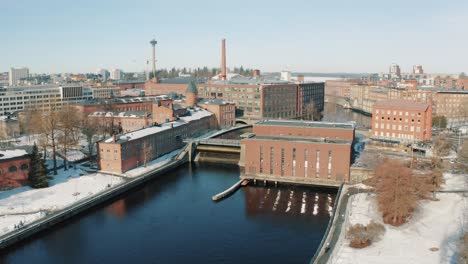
{"type": "Point", "coordinates": [436, 224]}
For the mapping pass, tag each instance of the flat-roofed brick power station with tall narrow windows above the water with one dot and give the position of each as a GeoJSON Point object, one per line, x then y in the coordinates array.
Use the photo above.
{"type": "Point", "coordinates": [295, 151]}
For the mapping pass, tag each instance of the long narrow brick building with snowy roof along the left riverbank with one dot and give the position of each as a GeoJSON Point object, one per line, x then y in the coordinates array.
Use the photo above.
{"type": "Point", "coordinates": [121, 153]}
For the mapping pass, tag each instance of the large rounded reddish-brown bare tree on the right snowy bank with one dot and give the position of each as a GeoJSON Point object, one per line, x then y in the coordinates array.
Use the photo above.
{"type": "Point", "coordinates": [398, 190]}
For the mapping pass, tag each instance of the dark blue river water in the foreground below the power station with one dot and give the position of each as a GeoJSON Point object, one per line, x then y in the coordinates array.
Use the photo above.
{"type": "Point", "coordinates": [173, 220]}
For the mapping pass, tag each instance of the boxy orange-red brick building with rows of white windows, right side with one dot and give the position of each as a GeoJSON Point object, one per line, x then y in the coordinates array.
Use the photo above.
{"type": "Point", "coordinates": [401, 120]}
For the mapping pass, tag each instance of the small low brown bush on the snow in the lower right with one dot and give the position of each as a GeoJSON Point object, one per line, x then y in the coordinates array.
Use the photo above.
{"type": "Point", "coordinates": [362, 236]}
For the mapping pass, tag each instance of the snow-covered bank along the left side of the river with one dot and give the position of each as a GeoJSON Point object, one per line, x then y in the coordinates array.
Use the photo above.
{"type": "Point", "coordinates": [27, 204]}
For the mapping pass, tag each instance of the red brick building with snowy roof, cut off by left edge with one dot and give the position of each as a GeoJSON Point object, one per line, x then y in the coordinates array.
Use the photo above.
{"type": "Point", "coordinates": [14, 168]}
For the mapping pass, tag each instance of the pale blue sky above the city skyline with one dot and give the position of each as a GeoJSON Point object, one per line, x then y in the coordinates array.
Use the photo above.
{"type": "Point", "coordinates": [310, 35]}
